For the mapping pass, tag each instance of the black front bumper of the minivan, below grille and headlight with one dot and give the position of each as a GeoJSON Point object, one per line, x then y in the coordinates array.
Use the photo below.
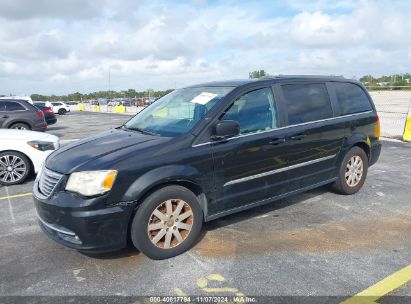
{"type": "Point", "coordinates": [76, 222]}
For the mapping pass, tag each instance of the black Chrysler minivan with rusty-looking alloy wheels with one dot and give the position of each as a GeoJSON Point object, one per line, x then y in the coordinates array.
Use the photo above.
{"type": "Point", "coordinates": [203, 152]}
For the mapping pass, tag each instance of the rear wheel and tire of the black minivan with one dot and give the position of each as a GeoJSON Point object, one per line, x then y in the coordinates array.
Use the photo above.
{"type": "Point", "coordinates": [352, 172]}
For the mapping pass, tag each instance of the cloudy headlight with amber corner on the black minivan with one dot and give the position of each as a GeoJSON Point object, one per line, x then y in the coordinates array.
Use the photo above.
{"type": "Point", "coordinates": [89, 183]}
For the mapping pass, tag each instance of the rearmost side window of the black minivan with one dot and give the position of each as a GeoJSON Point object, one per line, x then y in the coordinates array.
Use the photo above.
{"type": "Point", "coordinates": [351, 98]}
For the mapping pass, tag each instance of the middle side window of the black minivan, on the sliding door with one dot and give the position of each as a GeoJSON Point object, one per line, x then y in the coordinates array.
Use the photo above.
{"type": "Point", "coordinates": [306, 102]}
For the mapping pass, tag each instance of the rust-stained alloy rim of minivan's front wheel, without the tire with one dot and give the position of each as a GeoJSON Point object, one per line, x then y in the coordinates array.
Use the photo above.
{"type": "Point", "coordinates": [170, 223]}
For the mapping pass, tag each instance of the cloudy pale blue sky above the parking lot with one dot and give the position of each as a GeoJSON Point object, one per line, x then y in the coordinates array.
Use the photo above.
{"type": "Point", "coordinates": [58, 47]}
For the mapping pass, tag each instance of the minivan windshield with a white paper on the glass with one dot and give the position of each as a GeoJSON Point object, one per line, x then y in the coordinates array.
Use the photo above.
{"type": "Point", "coordinates": [177, 113]}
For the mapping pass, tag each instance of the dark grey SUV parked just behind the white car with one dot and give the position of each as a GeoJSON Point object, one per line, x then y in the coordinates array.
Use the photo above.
{"type": "Point", "coordinates": [20, 114]}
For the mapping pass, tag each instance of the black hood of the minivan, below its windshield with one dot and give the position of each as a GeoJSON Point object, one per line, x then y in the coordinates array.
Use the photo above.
{"type": "Point", "coordinates": [111, 145]}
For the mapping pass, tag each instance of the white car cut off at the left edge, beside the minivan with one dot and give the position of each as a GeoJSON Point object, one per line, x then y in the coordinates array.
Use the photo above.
{"type": "Point", "coordinates": [22, 153]}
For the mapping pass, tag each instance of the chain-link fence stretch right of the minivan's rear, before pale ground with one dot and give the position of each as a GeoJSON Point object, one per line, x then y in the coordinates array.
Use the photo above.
{"type": "Point", "coordinates": [392, 107]}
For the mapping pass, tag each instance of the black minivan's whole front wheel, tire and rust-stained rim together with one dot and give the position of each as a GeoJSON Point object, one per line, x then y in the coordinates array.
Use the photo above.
{"type": "Point", "coordinates": [167, 223]}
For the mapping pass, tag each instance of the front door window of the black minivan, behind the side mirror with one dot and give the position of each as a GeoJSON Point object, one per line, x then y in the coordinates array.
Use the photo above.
{"type": "Point", "coordinates": [255, 111]}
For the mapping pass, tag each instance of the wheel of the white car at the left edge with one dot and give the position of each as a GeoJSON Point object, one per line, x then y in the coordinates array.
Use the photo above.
{"type": "Point", "coordinates": [14, 168]}
